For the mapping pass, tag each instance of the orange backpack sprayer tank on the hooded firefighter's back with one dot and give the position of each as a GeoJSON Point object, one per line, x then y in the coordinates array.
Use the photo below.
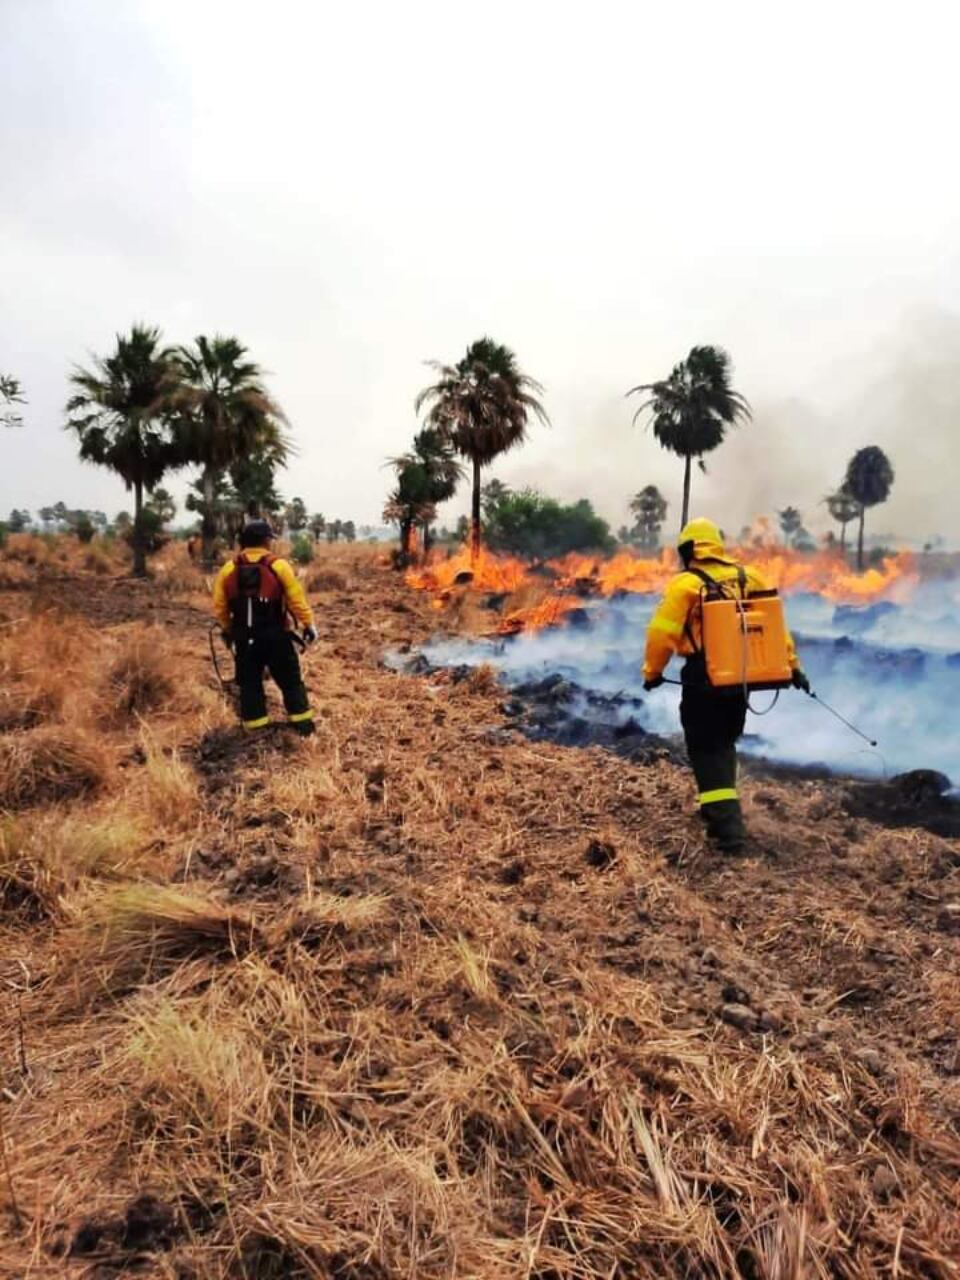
{"type": "Point", "coordinates": [744, 637]}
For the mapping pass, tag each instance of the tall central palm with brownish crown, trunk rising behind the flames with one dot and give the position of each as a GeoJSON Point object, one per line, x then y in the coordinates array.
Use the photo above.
{"type": "Point", "coordinates": [482, 405]}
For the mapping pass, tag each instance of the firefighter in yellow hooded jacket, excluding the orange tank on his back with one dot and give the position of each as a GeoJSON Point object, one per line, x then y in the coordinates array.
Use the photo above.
{"type": "Point", "coordinates": [712, 719]}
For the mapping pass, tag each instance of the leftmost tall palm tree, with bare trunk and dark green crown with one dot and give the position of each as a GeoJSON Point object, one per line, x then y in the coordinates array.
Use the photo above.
{"type": "Point", "coordinates": [120, 414]}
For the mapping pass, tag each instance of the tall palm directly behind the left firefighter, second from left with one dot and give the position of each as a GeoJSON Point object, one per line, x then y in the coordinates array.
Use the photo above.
{"type": "Point", "coordinates": [223, 415]}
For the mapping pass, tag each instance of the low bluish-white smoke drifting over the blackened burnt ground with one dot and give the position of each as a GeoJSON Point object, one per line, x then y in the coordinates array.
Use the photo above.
{"type": "Point", "coordinates": [893, 670]}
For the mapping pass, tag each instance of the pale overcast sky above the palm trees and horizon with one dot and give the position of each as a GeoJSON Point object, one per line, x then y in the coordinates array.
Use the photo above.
{"type": "Point", "coordinates": [355, 189]}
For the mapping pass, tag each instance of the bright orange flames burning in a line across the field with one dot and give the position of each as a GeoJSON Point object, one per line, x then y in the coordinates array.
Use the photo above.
{"type": "Point", "coordinates": [565, 583]}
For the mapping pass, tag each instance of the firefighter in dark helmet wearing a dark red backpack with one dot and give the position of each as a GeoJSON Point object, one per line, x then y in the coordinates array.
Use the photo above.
{"type": "Point", "coordinates": [254, 596]}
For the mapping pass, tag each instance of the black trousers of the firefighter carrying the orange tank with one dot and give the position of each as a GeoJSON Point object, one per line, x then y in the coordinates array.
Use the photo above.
{"type": "Point", "coordinates": [714, 720]}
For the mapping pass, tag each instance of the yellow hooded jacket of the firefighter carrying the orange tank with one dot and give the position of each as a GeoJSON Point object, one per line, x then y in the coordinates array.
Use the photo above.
{"type": "Point", "coordinates": [675, 628]}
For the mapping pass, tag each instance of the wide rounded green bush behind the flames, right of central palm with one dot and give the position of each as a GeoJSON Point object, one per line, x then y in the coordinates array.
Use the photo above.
{"type": "Point", "coordinates": [531, 524]}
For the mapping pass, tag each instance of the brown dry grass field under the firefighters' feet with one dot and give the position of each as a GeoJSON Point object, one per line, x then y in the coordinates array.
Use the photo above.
{"type": "Point", "coordinates": [422, 999]}
